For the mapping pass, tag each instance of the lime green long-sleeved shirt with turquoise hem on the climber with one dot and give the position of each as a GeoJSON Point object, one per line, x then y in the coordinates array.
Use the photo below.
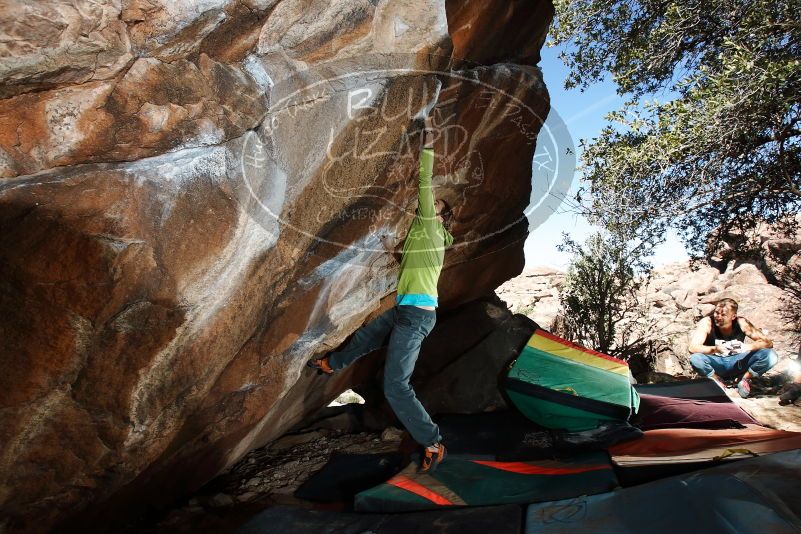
{"type": "Point", "coordinates": [424, 247]}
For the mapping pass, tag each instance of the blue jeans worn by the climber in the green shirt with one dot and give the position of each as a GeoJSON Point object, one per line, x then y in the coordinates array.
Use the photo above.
{"type": "Point", "coordinates": [406, 326]}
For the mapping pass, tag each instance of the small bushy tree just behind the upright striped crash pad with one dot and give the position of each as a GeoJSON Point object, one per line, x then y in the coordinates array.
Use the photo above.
{"type": "Point", "coordinates": [600, 295]}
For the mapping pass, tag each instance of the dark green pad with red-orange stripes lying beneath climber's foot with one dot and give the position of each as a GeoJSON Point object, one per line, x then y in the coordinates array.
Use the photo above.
{"type": "Point", "coordinates": [470, 482]}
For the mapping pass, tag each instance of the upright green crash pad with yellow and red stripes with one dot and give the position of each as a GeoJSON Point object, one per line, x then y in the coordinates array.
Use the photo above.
{"type": "Point", "coordinates": [558, 384]}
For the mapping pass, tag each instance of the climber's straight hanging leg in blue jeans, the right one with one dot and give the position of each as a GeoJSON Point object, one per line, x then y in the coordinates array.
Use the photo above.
{"type": "Point", "coordinates": [411, 327]}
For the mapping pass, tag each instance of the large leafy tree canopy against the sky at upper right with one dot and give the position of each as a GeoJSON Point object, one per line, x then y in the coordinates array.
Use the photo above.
{"type": "Point", "coordinates": [723, 151]}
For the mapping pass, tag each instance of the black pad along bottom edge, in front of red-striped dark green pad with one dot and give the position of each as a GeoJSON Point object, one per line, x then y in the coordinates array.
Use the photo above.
{"type": "Point", "coordinates": [506, 519]}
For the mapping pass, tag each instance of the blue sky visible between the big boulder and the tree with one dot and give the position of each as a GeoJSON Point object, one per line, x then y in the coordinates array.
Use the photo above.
{"type": "Point", "coordinates": [583, 113]}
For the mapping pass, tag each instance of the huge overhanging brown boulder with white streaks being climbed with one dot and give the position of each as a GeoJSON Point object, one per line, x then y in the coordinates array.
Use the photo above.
{"type": "Point", "coordinates": [191, 195]}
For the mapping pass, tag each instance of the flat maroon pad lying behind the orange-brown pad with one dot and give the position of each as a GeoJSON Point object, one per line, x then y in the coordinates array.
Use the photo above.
{"type": "Point", "coordinates": [667, 412]}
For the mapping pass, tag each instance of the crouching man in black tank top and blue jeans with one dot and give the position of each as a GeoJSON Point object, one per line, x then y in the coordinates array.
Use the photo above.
{"type": "Point", "coordinates": [719, 350]}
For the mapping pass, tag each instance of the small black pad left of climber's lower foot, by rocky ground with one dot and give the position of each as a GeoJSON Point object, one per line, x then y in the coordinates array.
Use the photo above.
{"type": "Point", "coordinates": [345, 475]}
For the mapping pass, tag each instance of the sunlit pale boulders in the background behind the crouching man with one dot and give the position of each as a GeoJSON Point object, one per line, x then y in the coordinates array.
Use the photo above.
{"type": "Point", "coordinates": [677, 297]}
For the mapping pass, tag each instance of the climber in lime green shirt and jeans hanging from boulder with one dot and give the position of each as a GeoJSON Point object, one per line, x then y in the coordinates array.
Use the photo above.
{"type": "Point", "coordinates": [414, 314]}
